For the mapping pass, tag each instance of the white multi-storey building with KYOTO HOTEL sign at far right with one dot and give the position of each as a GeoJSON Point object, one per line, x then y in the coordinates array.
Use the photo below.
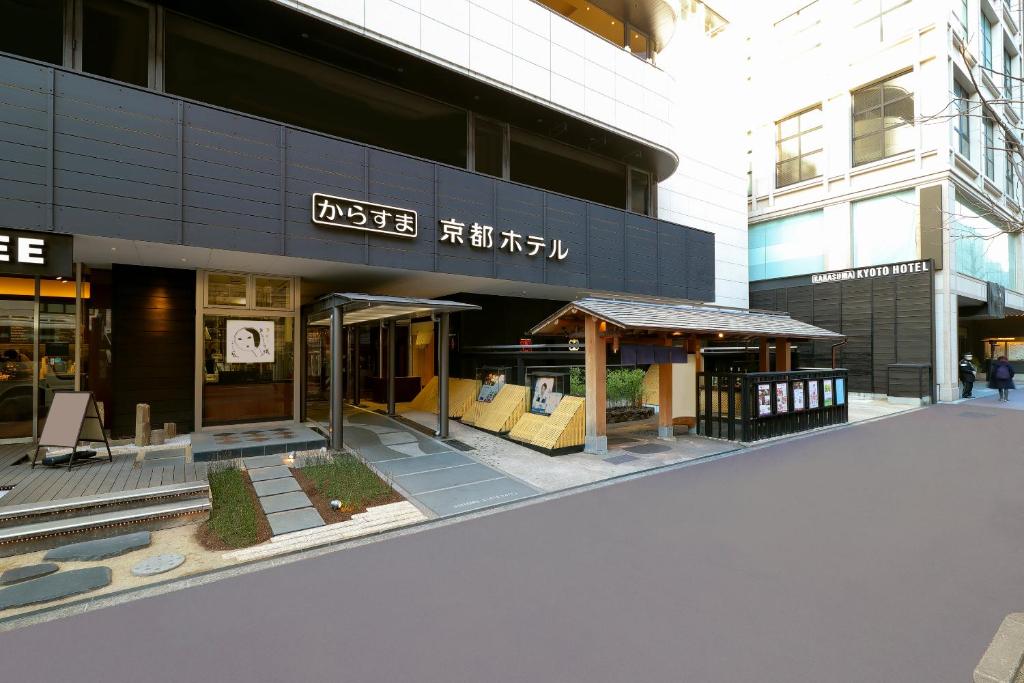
{"type": "Point", "coordinates": [887, 132]}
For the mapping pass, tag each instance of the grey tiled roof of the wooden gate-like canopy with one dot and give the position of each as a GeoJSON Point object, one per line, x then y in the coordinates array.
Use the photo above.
{"type": "Point", "coordinates": [637, 316]}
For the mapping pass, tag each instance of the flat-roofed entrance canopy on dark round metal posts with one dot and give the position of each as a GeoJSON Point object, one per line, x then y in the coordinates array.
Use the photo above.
{"type": "Point", "coordinates": [354, 310]}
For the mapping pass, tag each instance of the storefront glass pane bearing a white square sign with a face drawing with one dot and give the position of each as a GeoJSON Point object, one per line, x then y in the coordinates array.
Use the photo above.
{"type": "Point", "coordinates": [248, 374]}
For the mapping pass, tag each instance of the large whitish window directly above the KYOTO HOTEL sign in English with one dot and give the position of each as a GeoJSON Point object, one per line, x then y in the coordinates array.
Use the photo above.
{"type": "Point", "coordinates": [884, 230]}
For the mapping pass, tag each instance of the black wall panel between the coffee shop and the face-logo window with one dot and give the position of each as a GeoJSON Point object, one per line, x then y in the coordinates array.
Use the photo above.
{"type": "Point", "coordinates": [154, 346]}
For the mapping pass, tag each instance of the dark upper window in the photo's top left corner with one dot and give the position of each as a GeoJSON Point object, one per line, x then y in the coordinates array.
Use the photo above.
{"type": "Point", "coordinates": [33, 29]}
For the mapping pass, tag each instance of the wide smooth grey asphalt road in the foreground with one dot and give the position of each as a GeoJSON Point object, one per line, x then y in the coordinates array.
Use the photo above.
{"type": "Point", "coordinates": [887, 551]}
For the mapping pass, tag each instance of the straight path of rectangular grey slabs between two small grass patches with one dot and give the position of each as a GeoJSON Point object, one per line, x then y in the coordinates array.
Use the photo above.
{"type": "Point", "coordinates": [287, 507]}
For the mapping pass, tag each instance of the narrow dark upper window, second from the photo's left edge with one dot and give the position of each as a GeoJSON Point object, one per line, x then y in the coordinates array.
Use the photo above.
{"type": "Point", "coordinates": [116, 40]}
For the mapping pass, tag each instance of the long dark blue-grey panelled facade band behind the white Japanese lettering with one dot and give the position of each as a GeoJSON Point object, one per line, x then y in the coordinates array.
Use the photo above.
{"type": "Point", "coordinates": [84, 156]}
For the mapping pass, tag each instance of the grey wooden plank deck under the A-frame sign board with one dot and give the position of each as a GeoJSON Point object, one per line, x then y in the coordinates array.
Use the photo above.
{"type": "Point", "coordinates": [47, 484]}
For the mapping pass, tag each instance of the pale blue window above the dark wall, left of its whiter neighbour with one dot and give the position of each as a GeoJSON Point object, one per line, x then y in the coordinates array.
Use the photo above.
{"type": "Point", "coordinates": [790, 246]}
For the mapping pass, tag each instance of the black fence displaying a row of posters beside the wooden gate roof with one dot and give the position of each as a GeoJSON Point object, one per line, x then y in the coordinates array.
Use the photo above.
{"type": "Point", "coordinates": [752, 407]}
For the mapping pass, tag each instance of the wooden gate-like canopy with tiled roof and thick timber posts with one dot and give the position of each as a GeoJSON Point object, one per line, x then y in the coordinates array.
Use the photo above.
{"type": "Point", "coordinates": [617, 322]}
